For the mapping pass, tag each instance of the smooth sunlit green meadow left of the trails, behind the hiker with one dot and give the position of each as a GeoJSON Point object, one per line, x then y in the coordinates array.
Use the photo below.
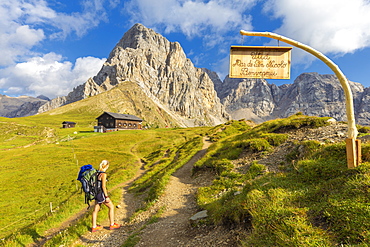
{"type": "Point", "coordinates": [45, 172]}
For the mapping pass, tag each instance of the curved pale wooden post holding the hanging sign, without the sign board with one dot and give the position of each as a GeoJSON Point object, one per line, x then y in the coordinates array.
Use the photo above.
{"type": "Point", "coordinates": [353, 153]}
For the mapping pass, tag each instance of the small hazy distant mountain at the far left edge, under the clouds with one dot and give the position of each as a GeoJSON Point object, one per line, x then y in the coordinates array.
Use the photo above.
{"type": "Point", "coordinates": [20, 106]}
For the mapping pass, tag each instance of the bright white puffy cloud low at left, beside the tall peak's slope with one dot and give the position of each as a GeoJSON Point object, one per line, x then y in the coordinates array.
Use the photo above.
{"type": "Point", "coordinates": [48, 75]}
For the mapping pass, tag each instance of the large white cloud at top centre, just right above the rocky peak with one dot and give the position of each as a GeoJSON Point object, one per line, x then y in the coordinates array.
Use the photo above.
{"type": "Point", "coordinates": [193, 18]}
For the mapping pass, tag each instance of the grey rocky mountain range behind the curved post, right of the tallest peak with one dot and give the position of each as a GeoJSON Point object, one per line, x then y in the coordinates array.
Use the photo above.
{"type": "Point", "coordinates": [311, 93]}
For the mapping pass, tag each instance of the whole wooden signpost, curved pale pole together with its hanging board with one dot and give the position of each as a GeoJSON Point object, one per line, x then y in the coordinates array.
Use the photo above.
{"type": "Point", "coordinates": [244, 64]}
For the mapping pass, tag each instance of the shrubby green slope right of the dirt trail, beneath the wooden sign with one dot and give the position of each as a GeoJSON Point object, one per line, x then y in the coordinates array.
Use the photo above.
{"type": "Point", "coordinates": [313, 201]}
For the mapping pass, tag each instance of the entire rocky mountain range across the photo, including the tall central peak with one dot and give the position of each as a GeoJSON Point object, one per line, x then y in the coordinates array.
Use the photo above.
{"type": "Point", "coordinates": [187, 96]}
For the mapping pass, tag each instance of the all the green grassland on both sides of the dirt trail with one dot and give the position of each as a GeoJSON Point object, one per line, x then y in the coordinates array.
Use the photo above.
{"type": "Point", "coordinates": [310, 198]}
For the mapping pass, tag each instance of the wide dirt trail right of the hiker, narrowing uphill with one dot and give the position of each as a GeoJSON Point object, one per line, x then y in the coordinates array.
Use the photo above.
{"type": "Point", "coordinates": [173, 228]}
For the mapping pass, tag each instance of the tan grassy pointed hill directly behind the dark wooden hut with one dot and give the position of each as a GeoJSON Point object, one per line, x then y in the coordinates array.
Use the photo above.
{"type": "Point", "coordinates": [119, 99]}
